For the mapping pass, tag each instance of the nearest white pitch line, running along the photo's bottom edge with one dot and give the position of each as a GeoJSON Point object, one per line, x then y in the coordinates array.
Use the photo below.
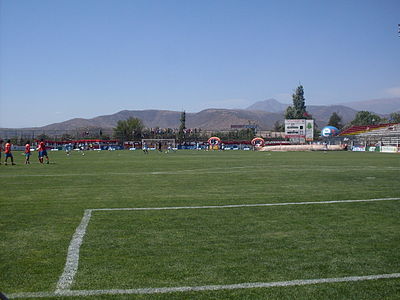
{"type": "Point", "coordinates": [250, 285]}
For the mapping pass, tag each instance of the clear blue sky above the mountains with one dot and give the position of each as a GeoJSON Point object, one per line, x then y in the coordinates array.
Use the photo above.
{"type": "Point", "coordinates": [61, 59]}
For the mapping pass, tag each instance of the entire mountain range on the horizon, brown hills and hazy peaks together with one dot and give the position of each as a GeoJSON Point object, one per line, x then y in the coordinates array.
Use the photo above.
{"type": "Point", "coordinates": [263, 113]}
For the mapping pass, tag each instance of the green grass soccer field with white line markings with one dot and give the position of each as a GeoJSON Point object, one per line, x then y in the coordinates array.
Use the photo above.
{"type": "Point", "coordinates": [201, 225]}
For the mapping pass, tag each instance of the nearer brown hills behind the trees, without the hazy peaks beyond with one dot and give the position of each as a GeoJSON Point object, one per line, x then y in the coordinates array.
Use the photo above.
{"type": "Point", "coordinates": [208, 119]}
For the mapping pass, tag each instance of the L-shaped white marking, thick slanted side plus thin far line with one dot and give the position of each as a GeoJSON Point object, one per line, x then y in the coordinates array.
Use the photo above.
{"type": "Point", "coordinates": [71, 266]}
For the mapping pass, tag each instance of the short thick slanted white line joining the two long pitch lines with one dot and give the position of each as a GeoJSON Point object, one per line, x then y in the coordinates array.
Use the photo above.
{"type": "Point", "coordinates": [71, 265]}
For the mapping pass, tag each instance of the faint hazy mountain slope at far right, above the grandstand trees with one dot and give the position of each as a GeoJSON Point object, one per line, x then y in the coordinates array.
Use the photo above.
{"type": "Point", "coordinates": [381, 106]}
